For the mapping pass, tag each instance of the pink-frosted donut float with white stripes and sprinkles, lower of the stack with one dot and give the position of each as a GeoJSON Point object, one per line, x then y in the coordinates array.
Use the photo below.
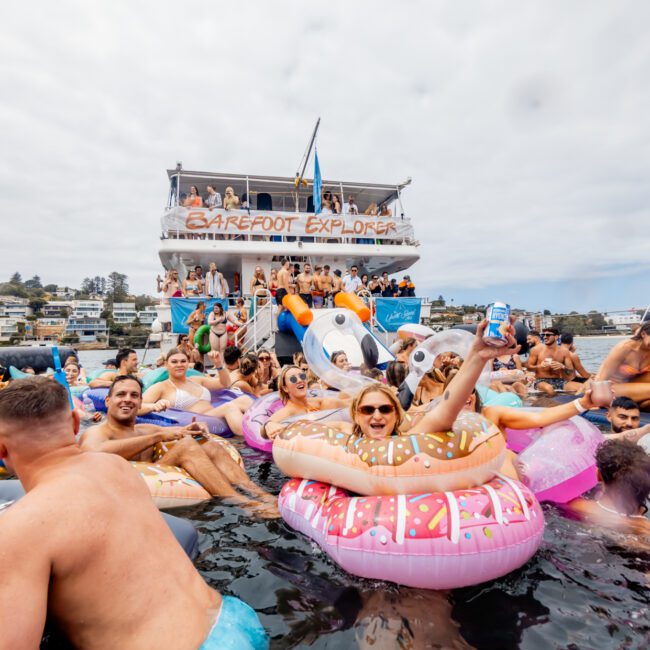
{"type": "Point", "coordinates": [442, 540]}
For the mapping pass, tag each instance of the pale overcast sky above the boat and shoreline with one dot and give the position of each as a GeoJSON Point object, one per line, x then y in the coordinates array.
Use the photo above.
{"type": "Point", "coordinates": [523, 125]}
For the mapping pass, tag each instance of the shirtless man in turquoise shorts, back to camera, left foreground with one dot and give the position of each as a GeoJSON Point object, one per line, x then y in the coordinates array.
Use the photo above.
{"type": "Point", "coordinates": [88, 521]}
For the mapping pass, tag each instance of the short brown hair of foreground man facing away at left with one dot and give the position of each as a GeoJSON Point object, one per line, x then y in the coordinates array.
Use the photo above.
{"type": "Point", "coordinates": [33, 399]}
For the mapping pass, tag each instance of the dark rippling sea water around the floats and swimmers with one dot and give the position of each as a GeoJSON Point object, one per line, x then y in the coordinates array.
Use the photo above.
{"type": "Point", "coordinates": [583, 589]}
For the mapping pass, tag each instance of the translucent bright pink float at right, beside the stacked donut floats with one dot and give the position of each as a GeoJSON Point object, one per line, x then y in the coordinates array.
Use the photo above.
{"type": "Point", "coordinates": [560, 464]}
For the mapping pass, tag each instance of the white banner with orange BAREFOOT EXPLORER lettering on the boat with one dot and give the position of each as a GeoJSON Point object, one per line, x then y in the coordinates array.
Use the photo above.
{"type": "Point", "coordinates": [238, 222]}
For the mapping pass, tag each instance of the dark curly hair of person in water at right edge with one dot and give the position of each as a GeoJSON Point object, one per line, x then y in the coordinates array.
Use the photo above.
{"type": "Point", "coordinates": [626, 465]}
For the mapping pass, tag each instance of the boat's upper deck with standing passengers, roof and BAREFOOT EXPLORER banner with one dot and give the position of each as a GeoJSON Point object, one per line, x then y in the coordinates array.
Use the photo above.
{"type": "Point", "coordinates": [276, 209]}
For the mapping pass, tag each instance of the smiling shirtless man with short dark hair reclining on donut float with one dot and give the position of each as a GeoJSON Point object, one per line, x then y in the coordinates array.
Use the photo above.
{"type": "Point", "coordinates": [208, 463]}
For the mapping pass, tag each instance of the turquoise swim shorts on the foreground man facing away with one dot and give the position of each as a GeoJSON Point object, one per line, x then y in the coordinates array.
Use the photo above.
{"type": "Point", "coordinates": [237, 628]}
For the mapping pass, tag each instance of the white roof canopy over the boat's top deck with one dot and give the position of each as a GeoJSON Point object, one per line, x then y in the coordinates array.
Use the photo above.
{"type": "Point", "coordinates": [282, 189]}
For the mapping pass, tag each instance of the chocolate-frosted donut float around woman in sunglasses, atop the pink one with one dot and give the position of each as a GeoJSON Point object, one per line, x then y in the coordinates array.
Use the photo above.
{"type": "Point", "coordinates": [470, 454]}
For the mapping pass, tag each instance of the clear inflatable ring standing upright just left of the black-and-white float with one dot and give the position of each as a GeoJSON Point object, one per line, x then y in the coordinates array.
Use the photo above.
{"type": "Point", "coordinates": [344, 323]}
